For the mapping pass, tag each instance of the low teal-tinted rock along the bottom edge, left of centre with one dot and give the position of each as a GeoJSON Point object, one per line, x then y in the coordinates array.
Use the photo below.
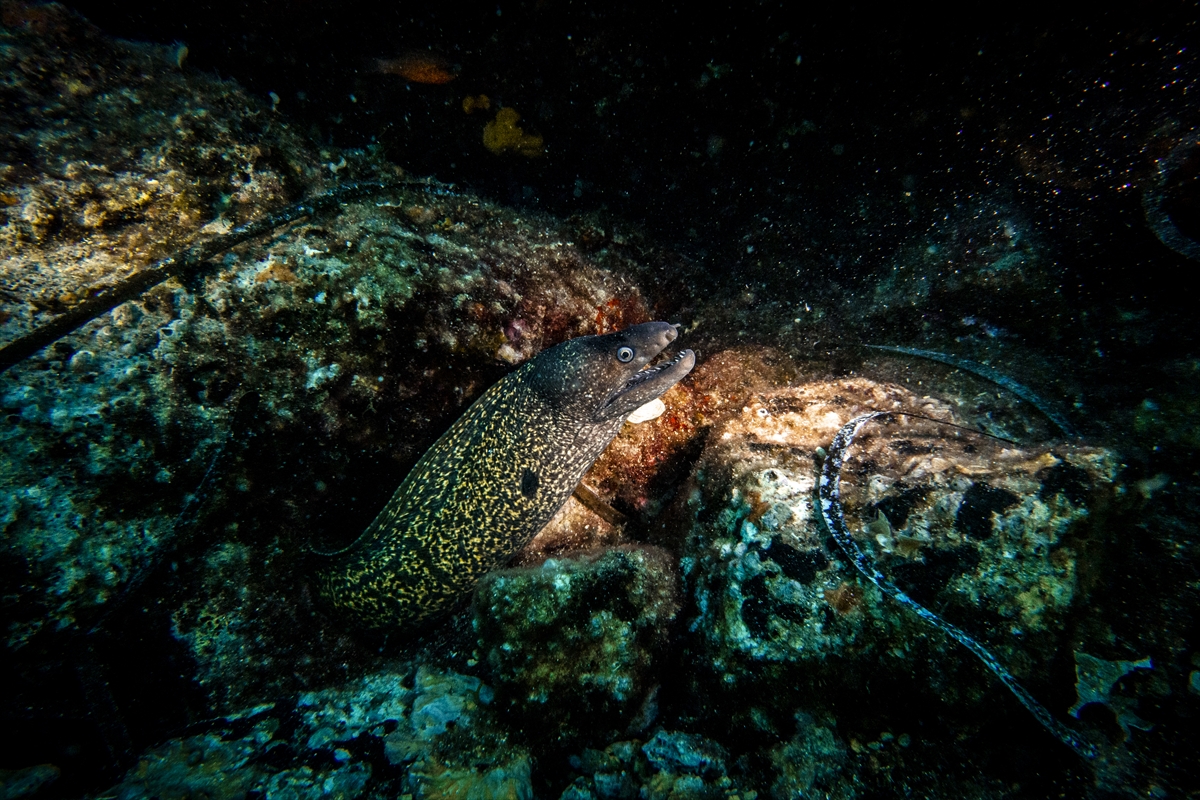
{"type": "Point", "coordinates": [434, 730]}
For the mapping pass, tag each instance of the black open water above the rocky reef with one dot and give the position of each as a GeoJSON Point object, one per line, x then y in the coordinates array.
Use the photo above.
{"type": "Point", "coordinates": [849, 127]}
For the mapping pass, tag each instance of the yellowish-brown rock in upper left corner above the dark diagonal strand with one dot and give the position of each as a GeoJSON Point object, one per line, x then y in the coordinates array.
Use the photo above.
{"type": "Point", "coordinates": [116, 154]}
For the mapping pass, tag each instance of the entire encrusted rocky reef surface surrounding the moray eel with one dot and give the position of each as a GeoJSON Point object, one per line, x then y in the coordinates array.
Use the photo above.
{"type": "Point", "coordinates": [685, 628]}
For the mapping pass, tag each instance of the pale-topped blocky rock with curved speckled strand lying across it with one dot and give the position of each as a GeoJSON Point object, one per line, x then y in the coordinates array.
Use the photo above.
{"type": "Point", "coordinates": [988, 533]}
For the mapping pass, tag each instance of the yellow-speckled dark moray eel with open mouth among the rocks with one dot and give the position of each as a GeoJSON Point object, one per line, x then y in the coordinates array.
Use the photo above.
{"type": "Point", "coordinates": [497, 477]}
